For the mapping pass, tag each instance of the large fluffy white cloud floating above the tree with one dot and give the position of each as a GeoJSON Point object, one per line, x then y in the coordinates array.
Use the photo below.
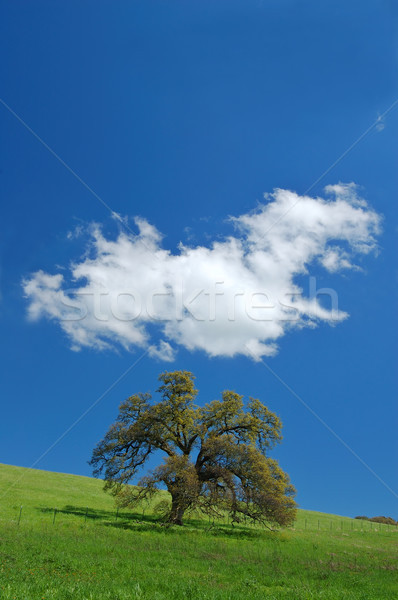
{"type": "Point", "coordinates": [237, 296]}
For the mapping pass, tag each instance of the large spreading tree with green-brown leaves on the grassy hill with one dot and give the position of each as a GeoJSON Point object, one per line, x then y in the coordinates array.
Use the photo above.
{"type": "Point", "coordinates": [215, 456]}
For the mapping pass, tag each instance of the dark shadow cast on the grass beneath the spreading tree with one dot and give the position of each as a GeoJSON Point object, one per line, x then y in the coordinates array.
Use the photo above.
{"type": "Point", "coordinates": [137, 521]}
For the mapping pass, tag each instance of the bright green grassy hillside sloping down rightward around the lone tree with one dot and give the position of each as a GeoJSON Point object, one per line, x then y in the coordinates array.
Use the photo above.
{"type": "Point", "coordinates": [91, 555]}
